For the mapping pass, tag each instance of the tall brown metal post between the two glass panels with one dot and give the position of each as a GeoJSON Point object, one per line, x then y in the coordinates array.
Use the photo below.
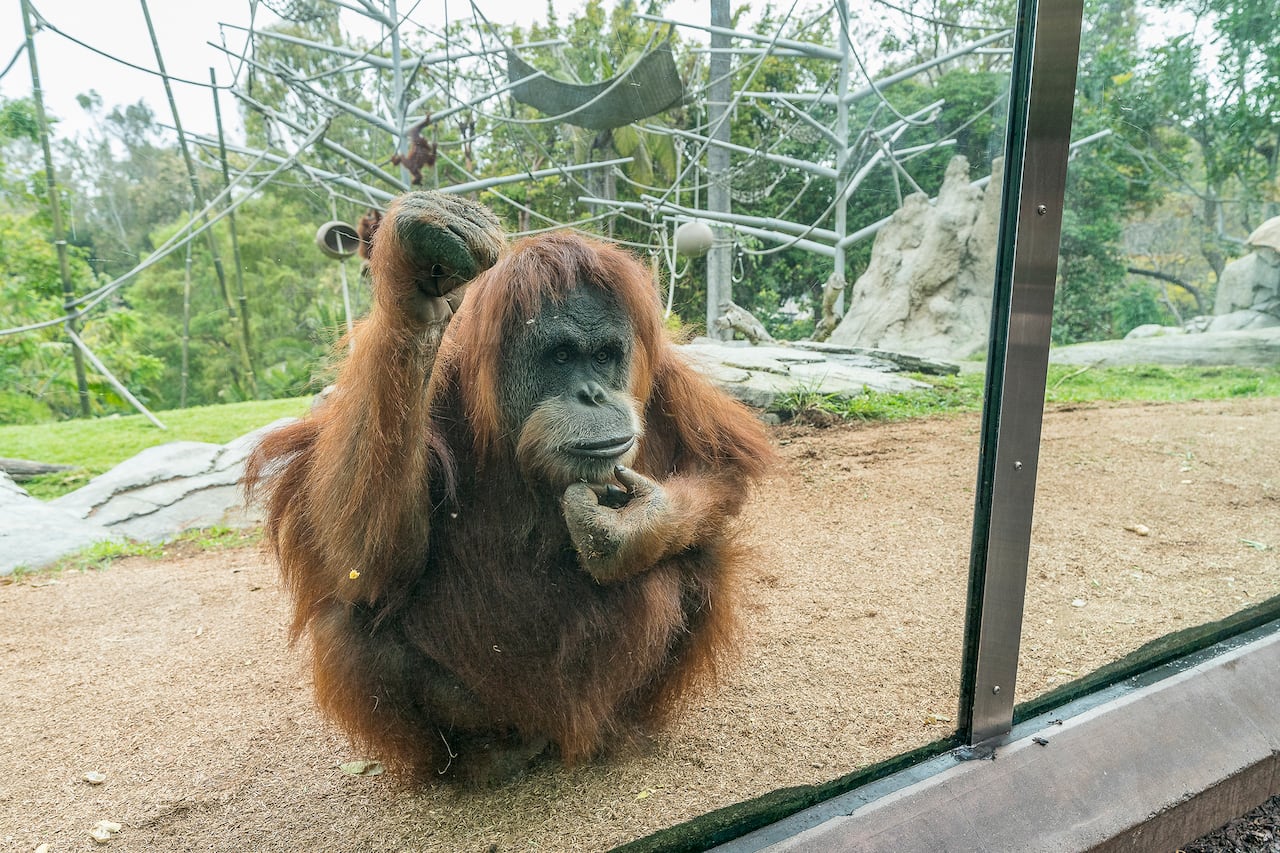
{"type": "Point", "coordinates": [1046, 52]}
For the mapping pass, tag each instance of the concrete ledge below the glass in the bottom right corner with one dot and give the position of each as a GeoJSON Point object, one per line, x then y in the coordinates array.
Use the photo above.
{"type": "Point", "coordinates": [1150, 770]}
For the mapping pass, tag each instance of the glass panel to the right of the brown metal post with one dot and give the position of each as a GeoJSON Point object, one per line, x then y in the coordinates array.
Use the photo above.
{"type": "Point", "coordinates": [1156, 507]}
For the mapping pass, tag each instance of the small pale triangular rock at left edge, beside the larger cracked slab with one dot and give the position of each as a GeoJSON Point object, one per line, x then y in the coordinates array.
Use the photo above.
{"type": "Point", "coordinates": [36, 535]}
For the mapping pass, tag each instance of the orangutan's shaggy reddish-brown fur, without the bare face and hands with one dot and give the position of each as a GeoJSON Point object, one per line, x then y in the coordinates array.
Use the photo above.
{"type": "Point", "coordinates": [454, 627]}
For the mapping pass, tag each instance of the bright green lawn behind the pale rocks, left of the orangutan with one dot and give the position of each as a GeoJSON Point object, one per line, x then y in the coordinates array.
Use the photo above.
{"type": "Point", "coordinates": [99, 444]}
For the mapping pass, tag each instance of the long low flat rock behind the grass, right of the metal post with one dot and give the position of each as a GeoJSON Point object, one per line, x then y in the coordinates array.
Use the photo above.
{"type": "Point", "coordinates": [1250, 348]}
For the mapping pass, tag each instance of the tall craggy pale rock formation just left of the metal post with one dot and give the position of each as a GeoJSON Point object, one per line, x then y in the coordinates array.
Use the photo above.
{"type": "Point", "coordinates": [930, 282]}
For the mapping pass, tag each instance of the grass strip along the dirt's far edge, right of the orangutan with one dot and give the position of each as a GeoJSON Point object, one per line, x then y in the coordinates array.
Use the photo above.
{"type": "Point", "coordinates": [1066, 385]}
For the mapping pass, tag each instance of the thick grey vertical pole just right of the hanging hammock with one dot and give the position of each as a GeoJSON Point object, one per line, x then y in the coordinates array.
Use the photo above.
{"type": "Point", "coordinates": [720, 259]}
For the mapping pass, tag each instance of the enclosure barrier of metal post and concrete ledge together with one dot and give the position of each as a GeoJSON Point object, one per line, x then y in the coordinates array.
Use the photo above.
{"type": "Point", "coordinates": [1144, 755]}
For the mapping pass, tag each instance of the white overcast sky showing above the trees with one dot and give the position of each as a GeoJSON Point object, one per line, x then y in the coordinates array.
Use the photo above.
{"type": "Point", "coordinates": [184, 29]}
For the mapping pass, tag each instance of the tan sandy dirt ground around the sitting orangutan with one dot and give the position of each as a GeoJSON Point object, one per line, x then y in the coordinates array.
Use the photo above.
{"type": "Point", "coordinates": [173, 679]}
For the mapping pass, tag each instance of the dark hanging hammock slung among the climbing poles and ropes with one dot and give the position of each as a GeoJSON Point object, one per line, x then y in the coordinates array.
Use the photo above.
{"type": "Point", "coordinates": [647, 89]}
